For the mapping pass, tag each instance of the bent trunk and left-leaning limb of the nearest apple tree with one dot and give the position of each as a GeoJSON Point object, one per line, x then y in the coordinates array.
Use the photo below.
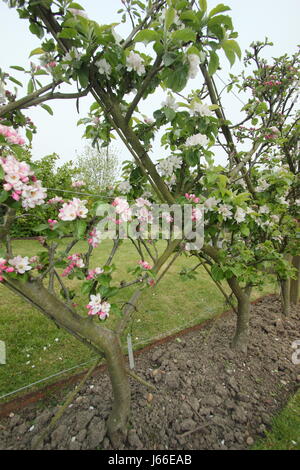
{"type": "Point", "coordinates": [93, 335]}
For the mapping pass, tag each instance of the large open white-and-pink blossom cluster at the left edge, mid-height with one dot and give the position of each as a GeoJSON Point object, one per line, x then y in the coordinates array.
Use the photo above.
{"type": "Point", "coordinates": [17, 177]}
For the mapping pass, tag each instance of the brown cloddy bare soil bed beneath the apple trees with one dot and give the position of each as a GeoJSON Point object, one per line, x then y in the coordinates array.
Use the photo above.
{"type": "Point", "coordinates": [207, 396]}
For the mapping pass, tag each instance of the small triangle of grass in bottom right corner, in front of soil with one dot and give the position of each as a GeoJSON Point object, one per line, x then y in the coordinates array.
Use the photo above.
{"type": "Point", "coordinates": [285, 433]}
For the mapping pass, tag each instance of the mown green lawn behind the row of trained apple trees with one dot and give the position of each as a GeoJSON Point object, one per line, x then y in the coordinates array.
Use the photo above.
{"type": "Point", "coordinates": [37, 349]}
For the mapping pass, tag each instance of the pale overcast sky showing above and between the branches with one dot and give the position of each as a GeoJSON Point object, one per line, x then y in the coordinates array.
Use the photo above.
{"type": "Point", "coordinates": [253, 20]}
